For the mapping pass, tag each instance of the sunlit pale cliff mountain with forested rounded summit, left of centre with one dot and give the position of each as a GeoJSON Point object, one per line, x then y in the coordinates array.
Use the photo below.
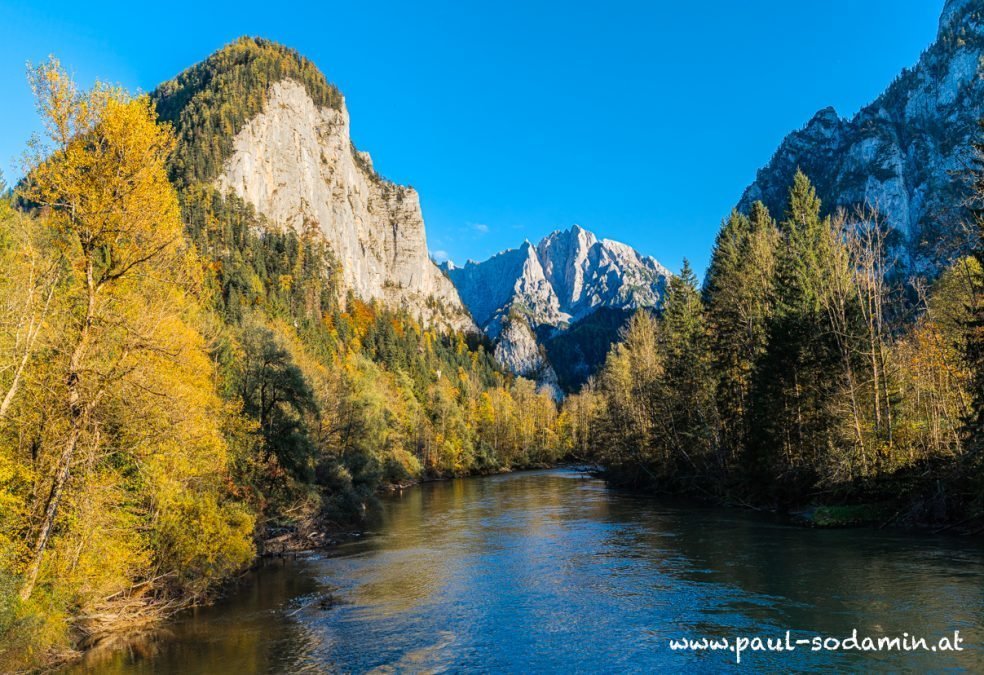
{"type": "Point", "coordinates": [259, 122]}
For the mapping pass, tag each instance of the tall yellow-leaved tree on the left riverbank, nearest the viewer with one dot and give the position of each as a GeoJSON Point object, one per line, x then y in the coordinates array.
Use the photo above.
{"type": "Point", "coordinates": [132, 423]}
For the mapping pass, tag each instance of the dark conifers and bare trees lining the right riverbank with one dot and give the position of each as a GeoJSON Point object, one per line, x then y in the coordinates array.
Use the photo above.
{"type": "Point", "coordinates": [801, 374]}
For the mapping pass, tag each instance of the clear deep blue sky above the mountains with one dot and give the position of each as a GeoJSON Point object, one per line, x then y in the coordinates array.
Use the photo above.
{"type": "Point", "coordinates": [642, 121]}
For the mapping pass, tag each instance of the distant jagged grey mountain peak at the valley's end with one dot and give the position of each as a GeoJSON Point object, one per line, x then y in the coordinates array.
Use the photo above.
{"type": "Point", "coordinates": [528, 297]}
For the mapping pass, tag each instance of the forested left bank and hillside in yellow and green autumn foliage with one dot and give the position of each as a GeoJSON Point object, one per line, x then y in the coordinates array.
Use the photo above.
{"type": "Point", "coordinates": [179, 376]}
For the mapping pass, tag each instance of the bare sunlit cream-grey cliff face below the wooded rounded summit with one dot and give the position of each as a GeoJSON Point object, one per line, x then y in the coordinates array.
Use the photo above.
{"type": "Point", "coordinates": [295, 164]}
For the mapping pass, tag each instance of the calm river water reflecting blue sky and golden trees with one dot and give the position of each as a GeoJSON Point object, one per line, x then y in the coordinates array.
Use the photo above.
{"type": "Point", "coordinates": [550, 571]}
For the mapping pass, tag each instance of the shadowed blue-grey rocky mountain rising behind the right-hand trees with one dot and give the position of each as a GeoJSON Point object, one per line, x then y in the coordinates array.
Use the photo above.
{"type": "Point", "coordinates": [900, 152]}
